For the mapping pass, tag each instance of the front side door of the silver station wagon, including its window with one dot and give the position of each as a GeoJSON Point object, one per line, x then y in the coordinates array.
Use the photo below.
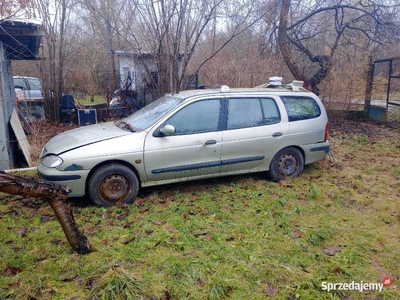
{"type": "Point", "coordinates": [193, 150]}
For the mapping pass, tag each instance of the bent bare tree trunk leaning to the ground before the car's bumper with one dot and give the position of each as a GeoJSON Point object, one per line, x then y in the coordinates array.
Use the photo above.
{"type": "Point", "coordinates": [54, 194]}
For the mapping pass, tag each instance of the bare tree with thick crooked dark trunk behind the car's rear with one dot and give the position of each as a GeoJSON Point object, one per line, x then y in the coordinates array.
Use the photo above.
{"type": "Point", "coordinates": [310, 36]}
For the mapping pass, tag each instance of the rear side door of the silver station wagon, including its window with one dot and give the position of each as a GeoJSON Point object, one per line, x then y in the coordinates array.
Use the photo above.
{"type": "Point", "coordinates": [254, 133]}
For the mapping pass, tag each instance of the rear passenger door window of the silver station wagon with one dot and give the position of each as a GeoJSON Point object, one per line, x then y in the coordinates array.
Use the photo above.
{"type": "Point", "coordinates": [251, 112]}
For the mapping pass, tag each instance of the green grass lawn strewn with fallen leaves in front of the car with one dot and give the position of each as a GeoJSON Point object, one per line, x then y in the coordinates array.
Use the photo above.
{"type": "Point", "coordinates": [240, 237]}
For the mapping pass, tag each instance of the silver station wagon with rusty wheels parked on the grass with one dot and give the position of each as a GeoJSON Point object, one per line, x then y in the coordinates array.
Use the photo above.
{"type": "Point", "coordinates": [191, 135]}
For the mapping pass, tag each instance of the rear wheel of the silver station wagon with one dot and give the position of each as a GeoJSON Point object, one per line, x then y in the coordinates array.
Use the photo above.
{"type": "Point", "coordinates": [287, 163]}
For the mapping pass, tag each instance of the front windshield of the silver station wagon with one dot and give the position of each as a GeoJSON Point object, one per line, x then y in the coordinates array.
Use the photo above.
{"type": "Point", "coordinates": [151, 113]}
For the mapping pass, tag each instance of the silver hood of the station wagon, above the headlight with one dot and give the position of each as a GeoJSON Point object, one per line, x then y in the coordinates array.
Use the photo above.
{"type": "Point", "coordinates": [82, 136]}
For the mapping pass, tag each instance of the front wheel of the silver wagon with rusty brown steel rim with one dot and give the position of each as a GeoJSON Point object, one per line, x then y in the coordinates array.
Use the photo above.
{"type": "Point", "coordinates": [113, 184]}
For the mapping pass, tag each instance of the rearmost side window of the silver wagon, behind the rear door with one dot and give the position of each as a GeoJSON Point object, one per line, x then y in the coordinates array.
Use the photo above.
{"type": "Point", "coordinates": [301, 108]}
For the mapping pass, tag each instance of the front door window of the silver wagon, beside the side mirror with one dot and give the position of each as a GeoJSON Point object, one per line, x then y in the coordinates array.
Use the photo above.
{"type": "Point", "coordinates": [201, 116]}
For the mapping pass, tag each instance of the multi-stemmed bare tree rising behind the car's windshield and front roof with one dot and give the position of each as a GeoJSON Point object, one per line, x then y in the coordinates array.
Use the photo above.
{"type": "Point", "coordinates": [172, 30]}
